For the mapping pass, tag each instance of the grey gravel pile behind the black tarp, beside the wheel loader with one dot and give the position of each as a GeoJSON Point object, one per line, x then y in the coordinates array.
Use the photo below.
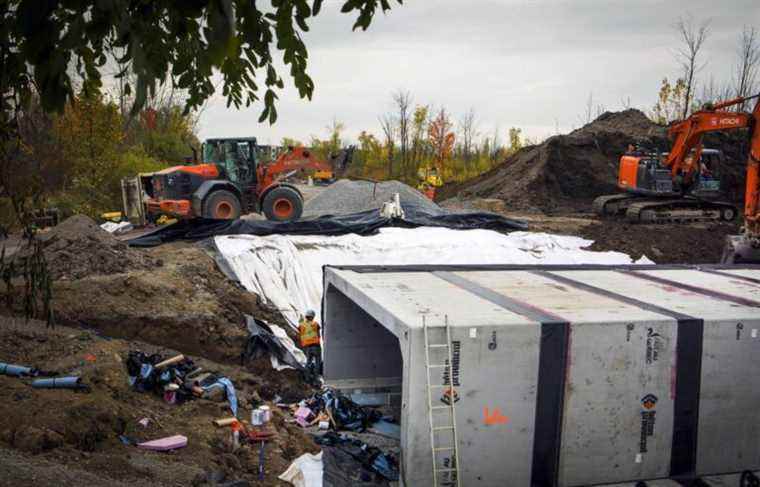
{"type": "Point", "coordinates": [346, 196]}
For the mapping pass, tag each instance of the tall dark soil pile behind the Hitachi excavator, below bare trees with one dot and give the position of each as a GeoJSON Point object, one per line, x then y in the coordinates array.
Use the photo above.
{"type": "Point", "coordinates": [565, 171]}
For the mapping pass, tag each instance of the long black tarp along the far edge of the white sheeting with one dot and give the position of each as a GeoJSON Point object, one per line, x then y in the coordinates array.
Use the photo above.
{"type": "Point", "coordinates": [362, 223]}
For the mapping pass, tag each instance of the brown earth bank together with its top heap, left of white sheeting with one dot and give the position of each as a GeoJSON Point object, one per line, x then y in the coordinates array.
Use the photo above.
{"type": "Point", "coordinates": [173, 295]}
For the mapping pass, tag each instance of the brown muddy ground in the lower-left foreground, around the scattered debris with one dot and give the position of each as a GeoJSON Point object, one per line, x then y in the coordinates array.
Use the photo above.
{"type": "Point", "coordinates": [60, 437]}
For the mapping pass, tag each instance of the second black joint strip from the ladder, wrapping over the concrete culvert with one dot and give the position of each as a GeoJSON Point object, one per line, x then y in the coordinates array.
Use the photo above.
{"type": "Point", "coordinates": [688, 375]}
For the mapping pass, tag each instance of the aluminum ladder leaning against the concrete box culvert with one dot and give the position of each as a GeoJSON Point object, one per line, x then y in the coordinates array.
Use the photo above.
{"type": "Point", "coordinates": [450, 427]}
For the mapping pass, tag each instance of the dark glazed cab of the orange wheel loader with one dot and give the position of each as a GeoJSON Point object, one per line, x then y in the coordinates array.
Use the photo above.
{"type": "Point", "coordinates": [235, 156]}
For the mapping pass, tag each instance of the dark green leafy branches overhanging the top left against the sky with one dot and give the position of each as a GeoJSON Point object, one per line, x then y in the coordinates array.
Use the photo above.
{"type": "Point", "coordinates": [163, 41]}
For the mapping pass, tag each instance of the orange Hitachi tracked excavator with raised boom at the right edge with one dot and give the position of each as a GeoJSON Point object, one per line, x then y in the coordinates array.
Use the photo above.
{"type": "Point", "coordinates": [680, 185]}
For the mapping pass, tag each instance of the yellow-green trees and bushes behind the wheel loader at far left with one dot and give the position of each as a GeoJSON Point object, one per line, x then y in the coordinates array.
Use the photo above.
{"type": "Point", "coordinates": [74, 160]}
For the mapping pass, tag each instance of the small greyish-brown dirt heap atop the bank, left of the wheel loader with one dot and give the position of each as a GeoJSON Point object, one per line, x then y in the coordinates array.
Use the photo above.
{"type": "Point", "coordinates": [78, 247]}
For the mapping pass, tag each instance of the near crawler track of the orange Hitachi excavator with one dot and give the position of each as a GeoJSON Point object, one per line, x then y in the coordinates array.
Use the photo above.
{"type": "Point", "coordinates": [679, 211]}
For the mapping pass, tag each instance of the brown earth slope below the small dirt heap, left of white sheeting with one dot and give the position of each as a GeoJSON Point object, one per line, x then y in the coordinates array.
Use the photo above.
{"type": "Point", "coordinates": [186, 304]}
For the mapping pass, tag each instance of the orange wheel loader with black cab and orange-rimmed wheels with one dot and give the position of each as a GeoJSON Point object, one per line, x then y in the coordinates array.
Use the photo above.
{"type": "Point", "coordinates": [230, 181]}
